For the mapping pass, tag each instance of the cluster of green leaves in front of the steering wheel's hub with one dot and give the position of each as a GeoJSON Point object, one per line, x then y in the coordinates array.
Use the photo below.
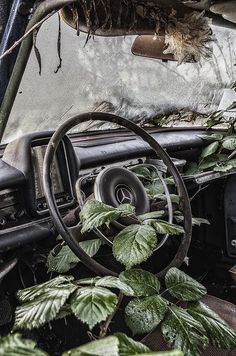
{"type": "Point", "coordinates": [135, 243]}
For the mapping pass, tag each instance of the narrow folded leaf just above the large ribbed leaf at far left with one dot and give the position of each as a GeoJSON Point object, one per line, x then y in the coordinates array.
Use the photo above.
{"type": "Point", "coordinates": [28, 294]}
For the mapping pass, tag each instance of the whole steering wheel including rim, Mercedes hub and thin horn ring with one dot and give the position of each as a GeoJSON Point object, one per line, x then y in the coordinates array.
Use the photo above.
{"type": "Point", "coordinates": [121, 192]}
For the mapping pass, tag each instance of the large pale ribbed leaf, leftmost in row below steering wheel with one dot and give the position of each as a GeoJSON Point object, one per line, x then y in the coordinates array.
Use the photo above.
{"type": "Point", "coordinates": [44, 307]}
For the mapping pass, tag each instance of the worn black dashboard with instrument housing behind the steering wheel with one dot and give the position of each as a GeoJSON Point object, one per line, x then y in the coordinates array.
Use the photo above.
{"type": "Point", "coordinates": [23, 211]}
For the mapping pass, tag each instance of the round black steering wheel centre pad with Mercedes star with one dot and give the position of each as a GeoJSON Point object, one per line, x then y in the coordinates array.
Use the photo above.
{"type": "Point", "coordinates": [117, 185]}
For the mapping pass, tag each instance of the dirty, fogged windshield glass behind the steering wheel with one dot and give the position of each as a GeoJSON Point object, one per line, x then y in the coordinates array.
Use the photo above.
{"type": "Point", "coordinates": [105, 75]}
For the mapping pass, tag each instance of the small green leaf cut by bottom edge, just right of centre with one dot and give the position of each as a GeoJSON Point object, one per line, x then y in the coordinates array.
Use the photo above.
{"type": "Point", "coordinates": [128, 346]}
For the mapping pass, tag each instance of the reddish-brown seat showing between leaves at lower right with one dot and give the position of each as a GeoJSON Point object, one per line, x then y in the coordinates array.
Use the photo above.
{"type": "Point", "coordinates": [224, 309]}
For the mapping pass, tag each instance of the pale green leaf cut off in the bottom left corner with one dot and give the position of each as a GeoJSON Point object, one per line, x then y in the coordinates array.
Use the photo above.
{"type": "Point", "coordinates": [15, 345]}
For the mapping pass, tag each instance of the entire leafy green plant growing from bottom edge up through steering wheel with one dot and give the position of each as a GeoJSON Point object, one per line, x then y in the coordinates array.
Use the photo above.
{"type": "Point", "coordinates": [95, 300]}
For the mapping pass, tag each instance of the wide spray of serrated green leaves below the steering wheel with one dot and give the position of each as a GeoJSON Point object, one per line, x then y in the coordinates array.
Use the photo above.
{"type": "Point", "coordinates": [189, 329]}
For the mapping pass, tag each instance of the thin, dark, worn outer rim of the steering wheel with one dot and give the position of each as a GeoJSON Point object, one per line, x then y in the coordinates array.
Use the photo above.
{"type": "Point", "coordinates": [66, 232]}
